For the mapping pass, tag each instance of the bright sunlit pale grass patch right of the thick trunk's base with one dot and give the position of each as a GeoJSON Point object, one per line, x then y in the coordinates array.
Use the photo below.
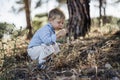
{"type": "Point", "coordinates": [104, 30]}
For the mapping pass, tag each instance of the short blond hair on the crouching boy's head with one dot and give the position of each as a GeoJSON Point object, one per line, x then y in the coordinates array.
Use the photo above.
{"type": "Point", "coordinates": [55, 13]}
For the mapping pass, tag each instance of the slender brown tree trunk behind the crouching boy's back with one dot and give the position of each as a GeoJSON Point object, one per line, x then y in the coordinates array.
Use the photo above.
{"type": "Point", "coordinates": [28, 19]}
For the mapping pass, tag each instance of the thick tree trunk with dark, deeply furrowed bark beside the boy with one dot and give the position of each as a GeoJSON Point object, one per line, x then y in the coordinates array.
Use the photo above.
{"type": "Point", "coordinates": [79, 18]}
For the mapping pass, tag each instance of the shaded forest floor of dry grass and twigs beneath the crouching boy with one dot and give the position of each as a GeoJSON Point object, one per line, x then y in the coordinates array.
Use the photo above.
{"type": "Point", "coordinates": [96, 57]}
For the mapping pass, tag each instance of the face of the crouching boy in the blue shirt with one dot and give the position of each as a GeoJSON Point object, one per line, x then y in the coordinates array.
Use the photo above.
{"type": "Point", "coordinates": [57, 23]}
